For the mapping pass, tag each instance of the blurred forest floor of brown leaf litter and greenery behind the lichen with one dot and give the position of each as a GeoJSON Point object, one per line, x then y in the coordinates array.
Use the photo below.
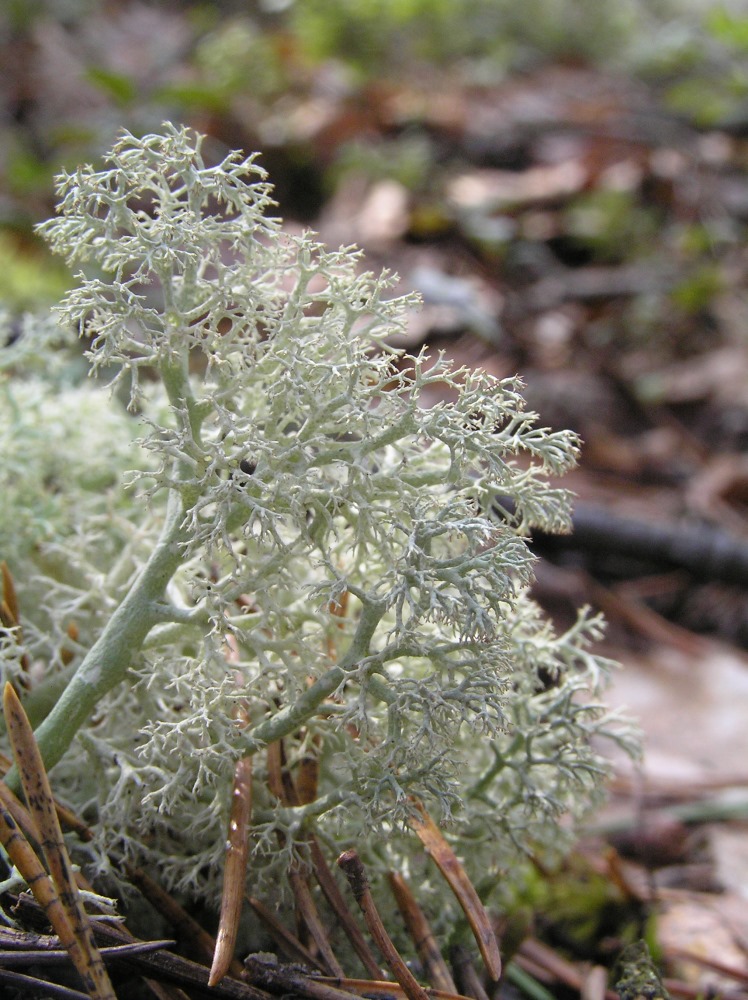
{"type": "Point", "coordinates": [566, 184]}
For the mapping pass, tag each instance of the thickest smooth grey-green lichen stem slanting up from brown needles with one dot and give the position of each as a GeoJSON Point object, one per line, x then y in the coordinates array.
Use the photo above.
{"type": "Point", "coordinates": [110, 657]}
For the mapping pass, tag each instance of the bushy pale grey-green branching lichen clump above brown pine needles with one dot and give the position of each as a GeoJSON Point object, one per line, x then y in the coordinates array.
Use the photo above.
{"type": "Point", "coordinates": [307, 550]}
